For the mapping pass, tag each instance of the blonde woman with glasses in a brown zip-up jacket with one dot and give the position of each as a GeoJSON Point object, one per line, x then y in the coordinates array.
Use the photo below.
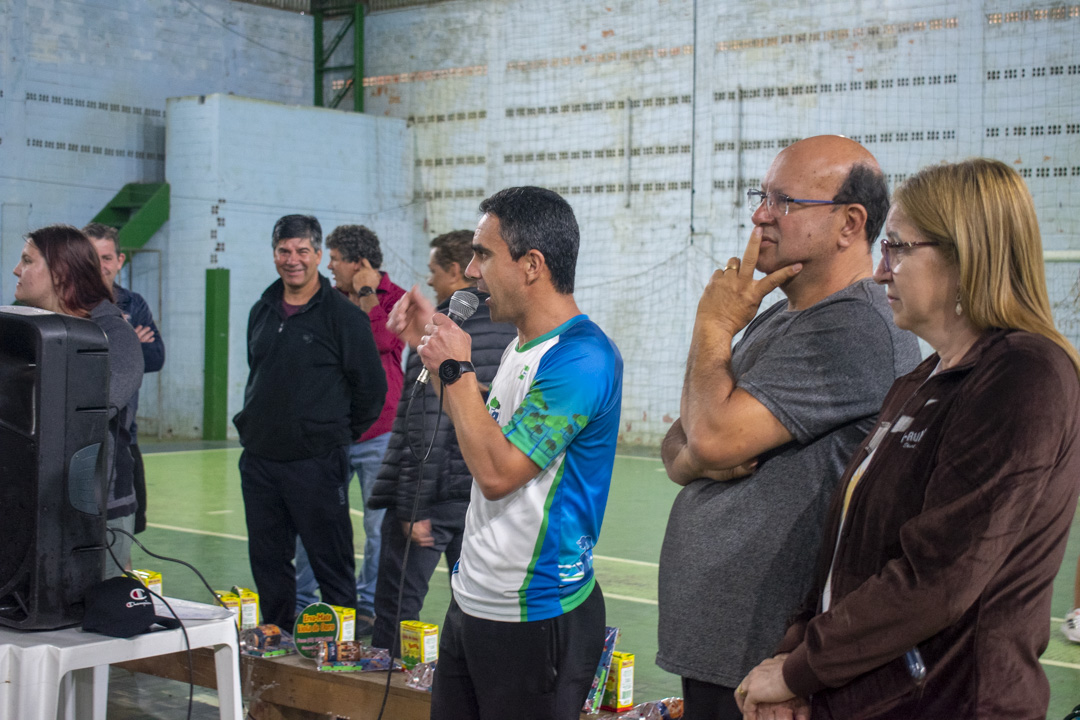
{"type": "Point", "coordinates": [933, 593]}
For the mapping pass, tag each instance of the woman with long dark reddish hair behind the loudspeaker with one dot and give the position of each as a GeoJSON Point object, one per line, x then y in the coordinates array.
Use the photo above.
{"type": "Point", "coordinates": [59, 271]}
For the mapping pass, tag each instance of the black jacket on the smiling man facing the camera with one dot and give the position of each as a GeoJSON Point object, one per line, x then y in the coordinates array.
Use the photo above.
{"type": "Point", "coordinates": [316, 381]}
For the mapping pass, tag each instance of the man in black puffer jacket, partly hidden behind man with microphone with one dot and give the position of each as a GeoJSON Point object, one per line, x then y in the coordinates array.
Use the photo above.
{"type": "Point", "coordinates": [440, 510]}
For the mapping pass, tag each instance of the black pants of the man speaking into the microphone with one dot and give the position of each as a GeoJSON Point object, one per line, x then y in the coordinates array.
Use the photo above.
{"type": "Point", "coordinates": [536, 671]}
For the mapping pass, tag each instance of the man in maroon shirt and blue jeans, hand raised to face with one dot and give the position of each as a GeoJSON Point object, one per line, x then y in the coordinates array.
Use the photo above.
{"type": "Point", "coordinates": [356, 259]}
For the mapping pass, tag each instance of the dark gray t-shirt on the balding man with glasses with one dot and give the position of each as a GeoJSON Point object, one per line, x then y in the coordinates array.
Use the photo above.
{"type": "Point", "coordinates": [738, 556]}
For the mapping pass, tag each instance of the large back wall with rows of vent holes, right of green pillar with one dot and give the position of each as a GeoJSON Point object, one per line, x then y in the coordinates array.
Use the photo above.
{"type": "Point", "coordinates": [654, 118]}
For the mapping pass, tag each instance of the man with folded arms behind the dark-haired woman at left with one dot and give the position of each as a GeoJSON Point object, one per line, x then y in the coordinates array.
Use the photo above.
{"type": "Point", "coordinates": [138, 313]}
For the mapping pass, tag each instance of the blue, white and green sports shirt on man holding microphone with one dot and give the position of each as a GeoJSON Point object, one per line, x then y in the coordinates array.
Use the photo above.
{"type": "Point", "coordinates": [529, 556]}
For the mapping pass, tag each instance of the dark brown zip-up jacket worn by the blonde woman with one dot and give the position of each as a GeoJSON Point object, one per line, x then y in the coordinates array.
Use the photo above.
{"type": "Point", "coordinates": [951, 544]}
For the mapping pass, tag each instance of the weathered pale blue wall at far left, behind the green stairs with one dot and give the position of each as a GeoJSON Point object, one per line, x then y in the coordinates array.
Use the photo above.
{"type": "Point", "coordinates": [84, 86]}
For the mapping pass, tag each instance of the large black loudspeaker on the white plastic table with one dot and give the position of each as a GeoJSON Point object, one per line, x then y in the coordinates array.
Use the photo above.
{"type": "Point", "coordinates": [55, 389]}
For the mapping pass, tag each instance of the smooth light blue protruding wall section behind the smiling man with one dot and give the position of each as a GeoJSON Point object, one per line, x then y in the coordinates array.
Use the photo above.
{"type": "Point", "coordinates": [235, 167]}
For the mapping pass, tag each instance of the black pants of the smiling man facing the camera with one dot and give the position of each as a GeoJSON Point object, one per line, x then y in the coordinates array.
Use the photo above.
{"type": "Point", "coordinates": [307, 498]}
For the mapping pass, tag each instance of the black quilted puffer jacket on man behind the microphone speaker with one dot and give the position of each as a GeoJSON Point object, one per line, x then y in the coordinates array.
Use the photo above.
{"type": "Point", "coordinates": [447, 479]}
